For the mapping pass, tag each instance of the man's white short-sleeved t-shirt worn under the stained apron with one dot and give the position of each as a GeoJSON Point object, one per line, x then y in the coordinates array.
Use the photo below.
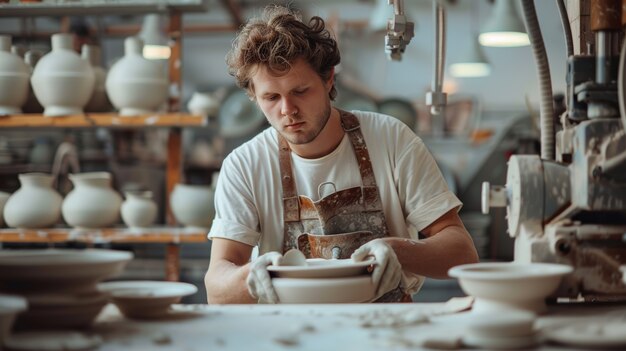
{"type": "Point", "coordinates": [248, 198]}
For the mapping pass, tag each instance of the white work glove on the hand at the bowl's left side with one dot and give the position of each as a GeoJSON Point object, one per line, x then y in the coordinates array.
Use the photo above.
{"type": "Point", "coordinates": [259, 282]}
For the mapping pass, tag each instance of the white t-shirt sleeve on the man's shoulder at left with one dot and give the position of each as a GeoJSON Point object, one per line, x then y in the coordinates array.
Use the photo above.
{"type": "Point", "coordinates": [236, 217]}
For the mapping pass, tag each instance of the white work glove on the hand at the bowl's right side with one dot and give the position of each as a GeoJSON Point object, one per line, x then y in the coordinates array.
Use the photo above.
{"type": "Point", "coordinates": [387, 272]}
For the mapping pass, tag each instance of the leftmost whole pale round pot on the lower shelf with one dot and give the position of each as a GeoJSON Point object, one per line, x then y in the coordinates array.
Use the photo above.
{"type": "Point", "coordinates": [35, 204]}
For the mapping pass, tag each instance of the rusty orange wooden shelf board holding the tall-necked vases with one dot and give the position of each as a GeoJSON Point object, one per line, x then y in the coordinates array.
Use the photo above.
{"type": "Point", "coordinates": [112, 120]}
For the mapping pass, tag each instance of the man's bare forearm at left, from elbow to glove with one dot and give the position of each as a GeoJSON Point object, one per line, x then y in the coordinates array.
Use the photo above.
{"type": "Point", "coordinates": [226, 283]}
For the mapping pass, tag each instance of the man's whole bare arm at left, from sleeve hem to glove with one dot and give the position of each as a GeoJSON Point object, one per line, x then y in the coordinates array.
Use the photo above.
{"type": "Point", "coordinates": [229, 266]}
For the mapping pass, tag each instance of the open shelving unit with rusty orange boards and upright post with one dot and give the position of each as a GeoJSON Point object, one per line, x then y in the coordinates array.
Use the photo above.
{"type": "Point", "coordinates": [174, 121]}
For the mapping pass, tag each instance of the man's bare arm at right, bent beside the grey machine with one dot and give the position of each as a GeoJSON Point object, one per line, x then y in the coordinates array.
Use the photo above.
{"type": "Point", "coordinates": [447, 244]}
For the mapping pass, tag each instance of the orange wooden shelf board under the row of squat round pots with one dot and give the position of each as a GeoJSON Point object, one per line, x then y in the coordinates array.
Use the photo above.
{"type": "Point", "coordinates": [166, 235]}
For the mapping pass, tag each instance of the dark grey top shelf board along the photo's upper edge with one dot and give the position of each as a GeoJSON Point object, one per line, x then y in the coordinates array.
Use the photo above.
{"type": "Point", "coordinates": [98, 7]}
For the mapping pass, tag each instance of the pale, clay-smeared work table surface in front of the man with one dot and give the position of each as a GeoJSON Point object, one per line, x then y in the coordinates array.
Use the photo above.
{"type": "Point", "coordinates": [313, 327]}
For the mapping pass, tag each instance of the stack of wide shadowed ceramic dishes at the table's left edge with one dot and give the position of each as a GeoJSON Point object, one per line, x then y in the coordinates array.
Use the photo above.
{"type": "Point", "coordinates": [59, 284]}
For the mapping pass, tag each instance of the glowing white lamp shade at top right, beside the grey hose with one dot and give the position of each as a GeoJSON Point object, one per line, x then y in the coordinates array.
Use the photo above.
{"type": "Point", "coordinates": [504, 28]}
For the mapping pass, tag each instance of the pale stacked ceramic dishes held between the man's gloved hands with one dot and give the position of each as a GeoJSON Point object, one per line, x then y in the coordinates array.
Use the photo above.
{"type": "Point", "coordinates": [324, 281]}
